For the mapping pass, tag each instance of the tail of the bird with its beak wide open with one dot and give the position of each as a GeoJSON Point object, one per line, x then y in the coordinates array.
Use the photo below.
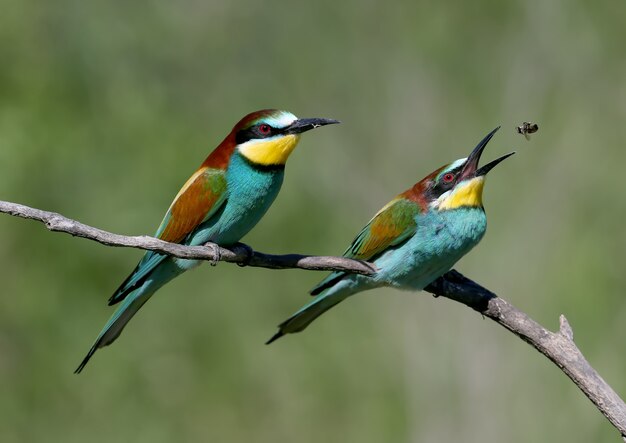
{"type": "Point", "coordinates": [305, 316]}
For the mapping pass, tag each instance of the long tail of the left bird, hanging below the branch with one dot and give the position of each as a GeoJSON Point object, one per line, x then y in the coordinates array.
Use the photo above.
{"type": "Point", "coordinates": [128, 308]}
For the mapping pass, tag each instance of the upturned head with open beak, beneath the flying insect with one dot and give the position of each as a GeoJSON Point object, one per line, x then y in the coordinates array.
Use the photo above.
{"type": "Point", "coordinates": [458, 184]}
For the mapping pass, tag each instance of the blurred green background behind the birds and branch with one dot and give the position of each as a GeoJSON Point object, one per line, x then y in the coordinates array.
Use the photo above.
{"type": "Point", "coordinates": [107, 107]}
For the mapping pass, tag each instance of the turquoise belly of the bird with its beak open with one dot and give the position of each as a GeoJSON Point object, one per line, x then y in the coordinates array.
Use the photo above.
{"type": "Point", "coordinates": [437, 245]}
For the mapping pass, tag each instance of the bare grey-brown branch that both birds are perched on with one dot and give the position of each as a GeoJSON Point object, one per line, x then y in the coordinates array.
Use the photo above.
{"type": "Point", "coordinates": [559, 346]}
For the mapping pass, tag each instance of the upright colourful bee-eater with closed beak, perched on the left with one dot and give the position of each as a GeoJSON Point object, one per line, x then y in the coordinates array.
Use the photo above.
{"type": "Point", "coordinates": [220, 203]}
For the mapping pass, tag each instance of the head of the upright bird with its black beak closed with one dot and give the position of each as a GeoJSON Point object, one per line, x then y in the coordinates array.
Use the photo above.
{"type": "Point", "coordinates": [268, 137]}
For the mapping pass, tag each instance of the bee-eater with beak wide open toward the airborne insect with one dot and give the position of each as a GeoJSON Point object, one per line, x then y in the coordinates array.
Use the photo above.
{"type": "Point", "coordinates": [417, 237]}
